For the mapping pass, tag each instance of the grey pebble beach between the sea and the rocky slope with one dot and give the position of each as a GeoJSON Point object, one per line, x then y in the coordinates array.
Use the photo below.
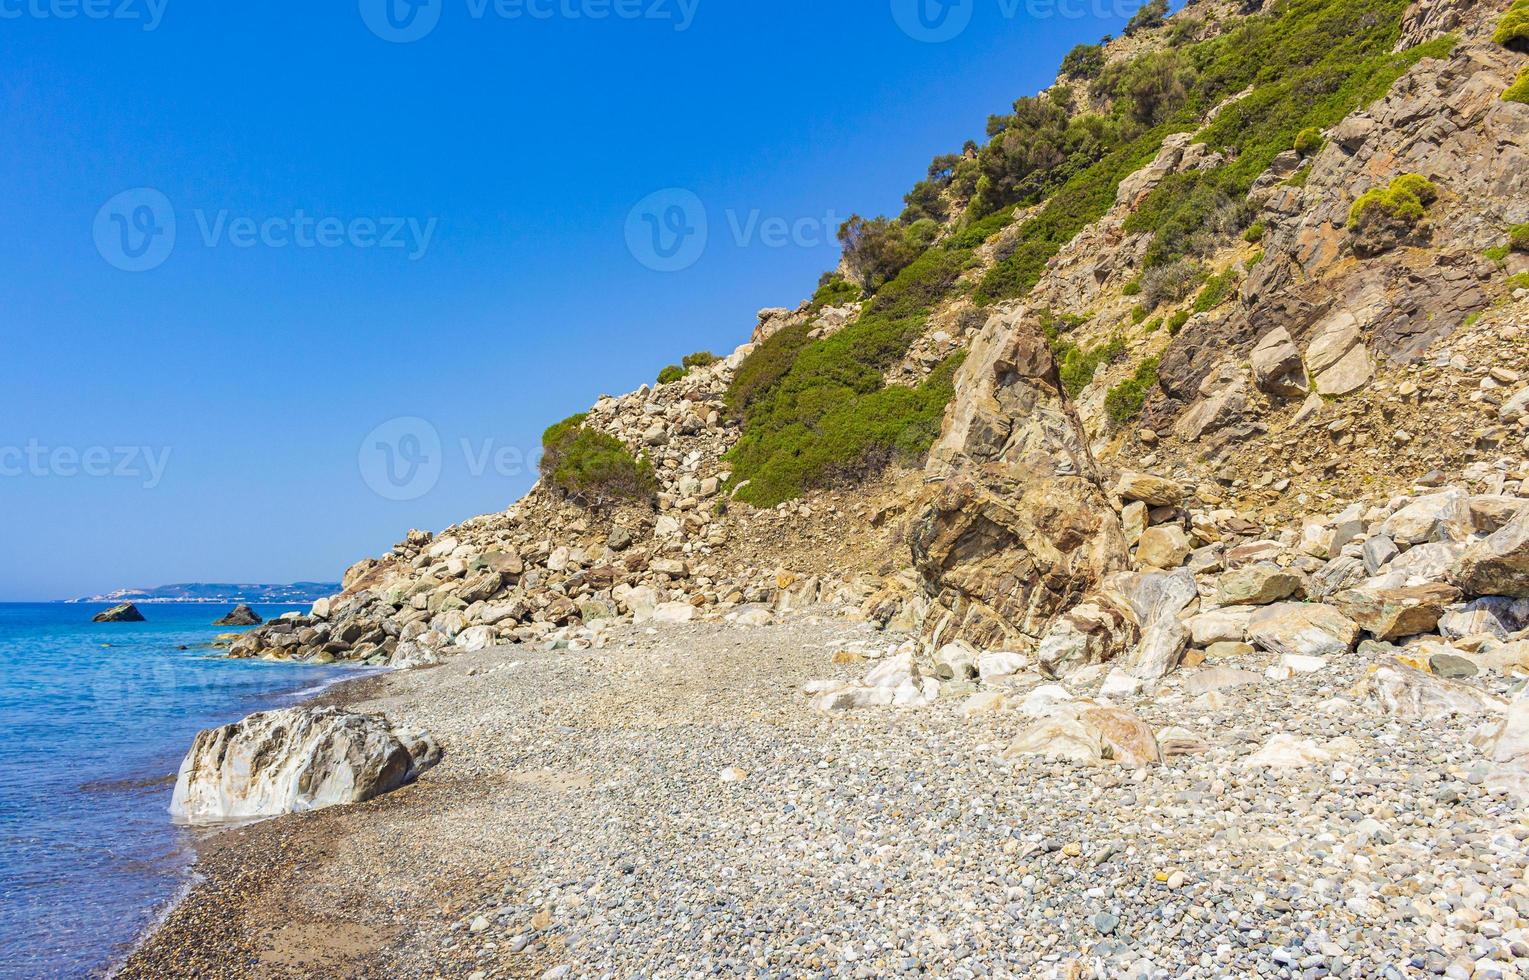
{"type": "Point", "coordinates": [672, 806]}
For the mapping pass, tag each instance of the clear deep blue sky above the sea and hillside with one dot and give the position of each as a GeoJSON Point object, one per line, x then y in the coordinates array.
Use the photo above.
{"type": "Point", "coordinates": [415, 213]}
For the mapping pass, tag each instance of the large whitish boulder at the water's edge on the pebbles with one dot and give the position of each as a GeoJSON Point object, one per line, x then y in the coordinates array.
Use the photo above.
{"type": "Point", "coordinates": [294, 761]}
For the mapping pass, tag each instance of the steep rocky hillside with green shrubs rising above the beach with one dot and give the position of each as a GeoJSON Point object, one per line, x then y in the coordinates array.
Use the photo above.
{"type": "Point", "coordinates": [1235, 248]}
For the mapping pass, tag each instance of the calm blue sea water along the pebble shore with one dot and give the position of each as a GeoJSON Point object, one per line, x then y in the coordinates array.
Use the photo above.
{"type": "Point", "coordinates": [96, 721]}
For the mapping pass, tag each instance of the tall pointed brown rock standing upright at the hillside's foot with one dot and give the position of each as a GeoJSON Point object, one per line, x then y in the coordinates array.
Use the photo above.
{"type": "Point", "coordinates": [1021, 528]}
